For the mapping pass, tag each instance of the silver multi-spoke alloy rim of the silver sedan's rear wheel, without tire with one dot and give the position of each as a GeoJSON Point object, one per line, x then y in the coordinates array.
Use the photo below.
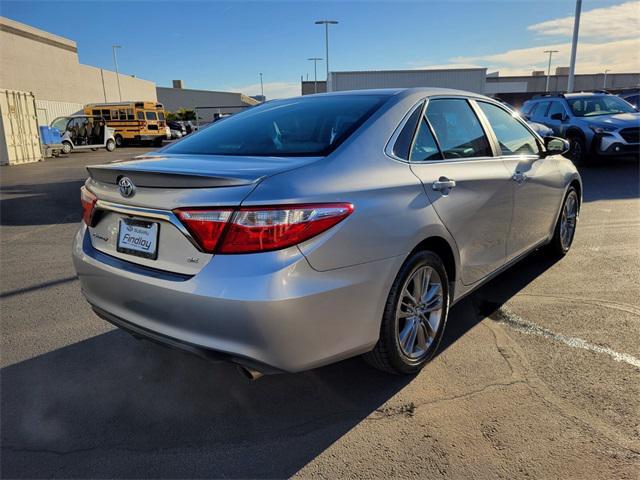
{"type": "Point", "coordinates": [419, 312]}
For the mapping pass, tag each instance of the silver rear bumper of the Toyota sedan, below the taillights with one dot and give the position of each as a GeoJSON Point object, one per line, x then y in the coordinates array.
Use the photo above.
{"type": "Point", "coordinates": [269, 311]}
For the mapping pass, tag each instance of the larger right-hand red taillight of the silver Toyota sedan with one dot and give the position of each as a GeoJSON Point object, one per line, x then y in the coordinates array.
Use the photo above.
{"type": "Point", "coordinates": [260, 229]}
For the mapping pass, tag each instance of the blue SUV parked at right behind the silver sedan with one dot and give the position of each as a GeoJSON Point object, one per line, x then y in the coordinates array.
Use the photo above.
{"type": "Point", "coordinates": [597, 124]}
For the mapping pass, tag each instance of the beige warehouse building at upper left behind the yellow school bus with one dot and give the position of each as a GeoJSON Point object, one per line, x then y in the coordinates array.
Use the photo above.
{"type": "Point", "coordinates": [47, 65]}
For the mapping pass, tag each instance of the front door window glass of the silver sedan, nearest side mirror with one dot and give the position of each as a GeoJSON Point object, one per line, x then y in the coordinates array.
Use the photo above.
{"type": "Point", "coordinates": [513, 137]}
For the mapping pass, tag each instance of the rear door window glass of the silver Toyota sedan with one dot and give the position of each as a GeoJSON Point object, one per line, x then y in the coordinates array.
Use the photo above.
{"type": "Point", "coordinates": [457, 129]}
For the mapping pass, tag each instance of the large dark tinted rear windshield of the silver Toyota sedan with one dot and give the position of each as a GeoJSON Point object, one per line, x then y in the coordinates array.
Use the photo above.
{"type": "Point", "coordinates": [312, 126]}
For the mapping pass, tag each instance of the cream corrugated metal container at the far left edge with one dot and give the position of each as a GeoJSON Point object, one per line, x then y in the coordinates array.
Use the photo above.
{"type": "Point", "coordinates": [19, 134]}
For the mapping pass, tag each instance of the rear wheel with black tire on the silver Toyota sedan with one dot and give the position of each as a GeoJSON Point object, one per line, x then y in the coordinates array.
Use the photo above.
{"type": "Point", "coordinates": [407, 342]}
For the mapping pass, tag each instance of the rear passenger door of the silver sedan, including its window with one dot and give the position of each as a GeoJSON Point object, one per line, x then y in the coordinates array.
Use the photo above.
{"type": "Point", "coordinates": [468, 187]}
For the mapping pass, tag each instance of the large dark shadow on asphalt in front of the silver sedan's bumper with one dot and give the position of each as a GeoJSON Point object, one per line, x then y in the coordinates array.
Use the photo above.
{"type": "Point", "coordinates": [111, 406]}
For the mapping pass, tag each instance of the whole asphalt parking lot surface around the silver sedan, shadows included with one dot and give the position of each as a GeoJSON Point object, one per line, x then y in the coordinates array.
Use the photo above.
{"type": "Point", "coordinates": [538, 375]}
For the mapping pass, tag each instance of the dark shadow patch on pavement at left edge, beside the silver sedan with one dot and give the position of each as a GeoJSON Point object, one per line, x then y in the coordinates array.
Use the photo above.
{"type": "Point", "coordinates": [40, 204]}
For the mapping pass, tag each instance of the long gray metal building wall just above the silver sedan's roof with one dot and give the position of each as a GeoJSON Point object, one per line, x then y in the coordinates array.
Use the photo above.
{"type": "Point", "coordinates": [470, 79]}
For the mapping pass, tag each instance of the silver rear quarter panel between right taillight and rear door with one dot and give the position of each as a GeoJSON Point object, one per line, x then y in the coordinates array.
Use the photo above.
{"type": "Point", "coordinates": [391, 214]}
